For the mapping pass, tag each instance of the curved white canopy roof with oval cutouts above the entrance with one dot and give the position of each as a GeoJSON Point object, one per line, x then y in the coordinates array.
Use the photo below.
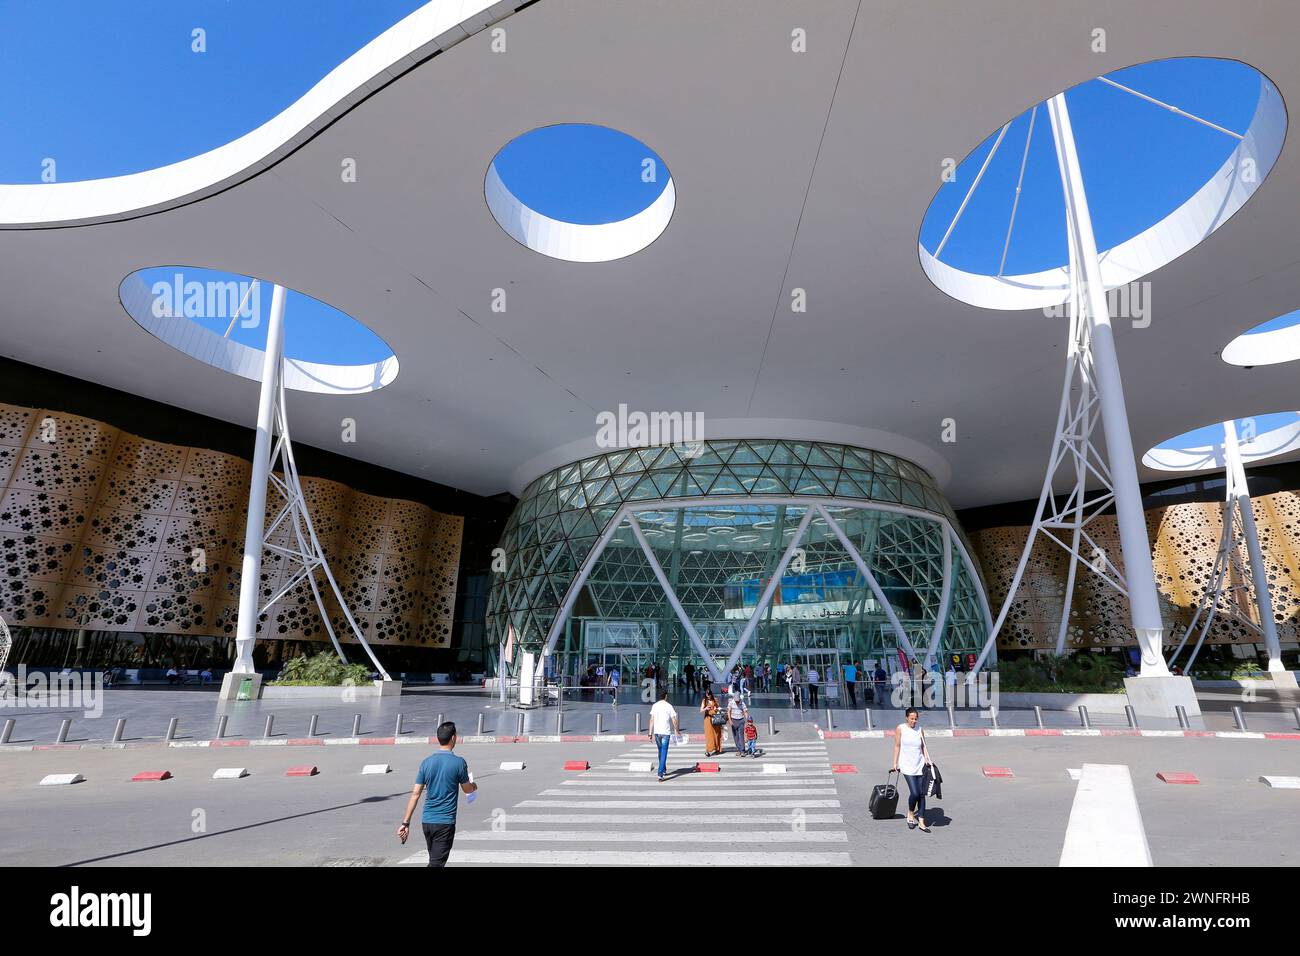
{"type": "Point", "coordinates": [791, 171]}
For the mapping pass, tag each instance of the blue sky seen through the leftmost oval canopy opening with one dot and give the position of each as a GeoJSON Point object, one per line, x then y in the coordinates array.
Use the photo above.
{"type": "Point", "coordinates": [314, 331]}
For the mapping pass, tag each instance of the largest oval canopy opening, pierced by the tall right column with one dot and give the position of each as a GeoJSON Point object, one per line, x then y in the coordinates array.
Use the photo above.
{"type": "Point", "coordinates": [1169, 152]}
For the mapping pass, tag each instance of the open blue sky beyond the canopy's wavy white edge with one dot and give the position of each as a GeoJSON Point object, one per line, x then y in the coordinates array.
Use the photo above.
{"type": "Point", "coordinates": [109, 88]}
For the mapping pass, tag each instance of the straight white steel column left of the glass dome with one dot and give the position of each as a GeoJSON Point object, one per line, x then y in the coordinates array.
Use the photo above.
{"type": "Point", "coordinates": [250, 578]}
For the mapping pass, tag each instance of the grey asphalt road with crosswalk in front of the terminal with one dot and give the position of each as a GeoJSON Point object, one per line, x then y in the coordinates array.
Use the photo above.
{"type": "Point", "coordinates": [619, 815]}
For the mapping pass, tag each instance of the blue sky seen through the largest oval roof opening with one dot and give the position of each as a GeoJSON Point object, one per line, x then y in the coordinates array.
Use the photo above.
{"type": "Point", "coordinates": [1139, 165]}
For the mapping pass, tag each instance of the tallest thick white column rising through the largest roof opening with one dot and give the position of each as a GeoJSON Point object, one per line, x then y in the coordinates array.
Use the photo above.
{"type": "Point", "coordinates": [1139, 574]}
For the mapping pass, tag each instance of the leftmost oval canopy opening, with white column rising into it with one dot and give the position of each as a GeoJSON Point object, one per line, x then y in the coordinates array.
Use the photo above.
{"type": "Point", "coordinates": [222, 319]}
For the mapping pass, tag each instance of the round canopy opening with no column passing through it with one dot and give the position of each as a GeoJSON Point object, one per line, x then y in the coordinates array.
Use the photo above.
{"type": "Point", "coordinates": [582, 193]}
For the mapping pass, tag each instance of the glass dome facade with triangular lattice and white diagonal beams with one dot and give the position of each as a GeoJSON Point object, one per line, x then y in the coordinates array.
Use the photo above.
{"type": "Point", "coordinates": [725, 552]}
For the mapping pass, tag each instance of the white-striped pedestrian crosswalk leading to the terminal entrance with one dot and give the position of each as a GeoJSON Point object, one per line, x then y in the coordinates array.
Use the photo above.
{"type": "Point", "coordinates": [616, 816]}
